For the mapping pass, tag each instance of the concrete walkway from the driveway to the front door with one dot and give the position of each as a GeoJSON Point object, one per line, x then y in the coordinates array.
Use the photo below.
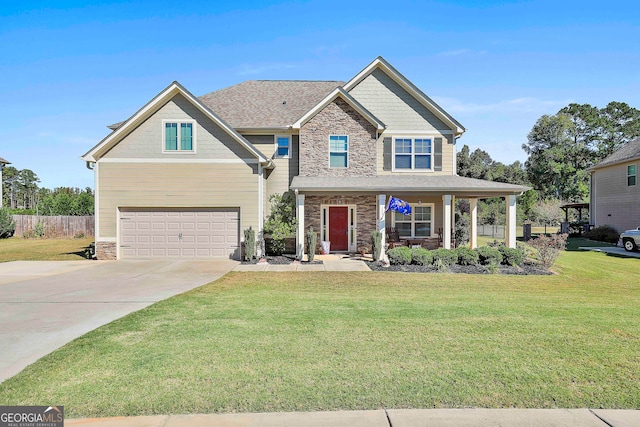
{"type": "Point", "coordinates": [329, 263]}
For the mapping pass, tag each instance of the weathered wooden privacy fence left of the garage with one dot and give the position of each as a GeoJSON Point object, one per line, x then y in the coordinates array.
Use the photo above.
{"type": "Point", "coordinates": [54, 226]}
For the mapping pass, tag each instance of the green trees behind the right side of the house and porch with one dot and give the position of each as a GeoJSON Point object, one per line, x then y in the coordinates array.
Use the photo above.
{"type": "Point", "coordinates": [561, 147]}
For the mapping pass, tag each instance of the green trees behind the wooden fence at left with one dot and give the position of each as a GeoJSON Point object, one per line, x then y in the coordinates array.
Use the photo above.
{"type": "Point", "coordinates": [23, 195]}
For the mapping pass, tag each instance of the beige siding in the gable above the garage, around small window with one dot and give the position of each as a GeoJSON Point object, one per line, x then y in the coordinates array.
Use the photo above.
{"type": "Point", "coordinates": [211, 141]}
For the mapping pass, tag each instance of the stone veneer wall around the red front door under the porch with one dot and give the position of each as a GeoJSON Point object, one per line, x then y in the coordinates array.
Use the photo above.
{"type": "Point", "coordinates": [366, 221]}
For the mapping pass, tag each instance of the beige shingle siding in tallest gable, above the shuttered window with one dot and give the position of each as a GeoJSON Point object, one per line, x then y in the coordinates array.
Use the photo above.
{"type": "Point", "coordinates": [393, 105]}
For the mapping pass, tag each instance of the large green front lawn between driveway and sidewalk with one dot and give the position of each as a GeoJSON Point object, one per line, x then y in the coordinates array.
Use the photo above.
{"type": "Point", "coordinates": [253, 342]}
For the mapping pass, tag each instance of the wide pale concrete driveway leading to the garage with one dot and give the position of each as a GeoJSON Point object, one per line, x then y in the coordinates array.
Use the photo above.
{"type": "Point", "coordinates": [44, 305]}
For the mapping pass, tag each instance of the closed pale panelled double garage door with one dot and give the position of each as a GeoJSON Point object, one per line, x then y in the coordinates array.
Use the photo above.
{"type": "Point", "coordinates": [179, 233]}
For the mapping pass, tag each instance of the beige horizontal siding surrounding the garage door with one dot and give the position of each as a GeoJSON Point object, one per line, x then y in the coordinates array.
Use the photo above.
{"type": "Point", "coordinates": [175, 185]}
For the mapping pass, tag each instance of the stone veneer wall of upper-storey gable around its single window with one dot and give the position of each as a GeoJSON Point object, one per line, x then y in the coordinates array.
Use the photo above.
{"type": "Point", "coordinates": [338, 118]}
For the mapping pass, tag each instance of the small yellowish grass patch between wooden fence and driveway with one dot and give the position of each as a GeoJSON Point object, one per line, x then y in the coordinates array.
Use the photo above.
{"type": "Point", "coordinates": [19, 249]}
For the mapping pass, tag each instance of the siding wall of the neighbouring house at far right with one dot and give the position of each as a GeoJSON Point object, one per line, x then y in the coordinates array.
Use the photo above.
{"type": "Point", "coordinates": [616, 204]}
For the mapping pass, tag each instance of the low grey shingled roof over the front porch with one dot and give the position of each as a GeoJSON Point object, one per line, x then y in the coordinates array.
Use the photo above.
{"type": "Point", "coordinates": [402, 184]}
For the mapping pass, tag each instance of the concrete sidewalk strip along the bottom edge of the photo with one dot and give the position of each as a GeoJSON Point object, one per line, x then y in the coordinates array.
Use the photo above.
{"type": "Point", "coordinates": [386, 418]}
